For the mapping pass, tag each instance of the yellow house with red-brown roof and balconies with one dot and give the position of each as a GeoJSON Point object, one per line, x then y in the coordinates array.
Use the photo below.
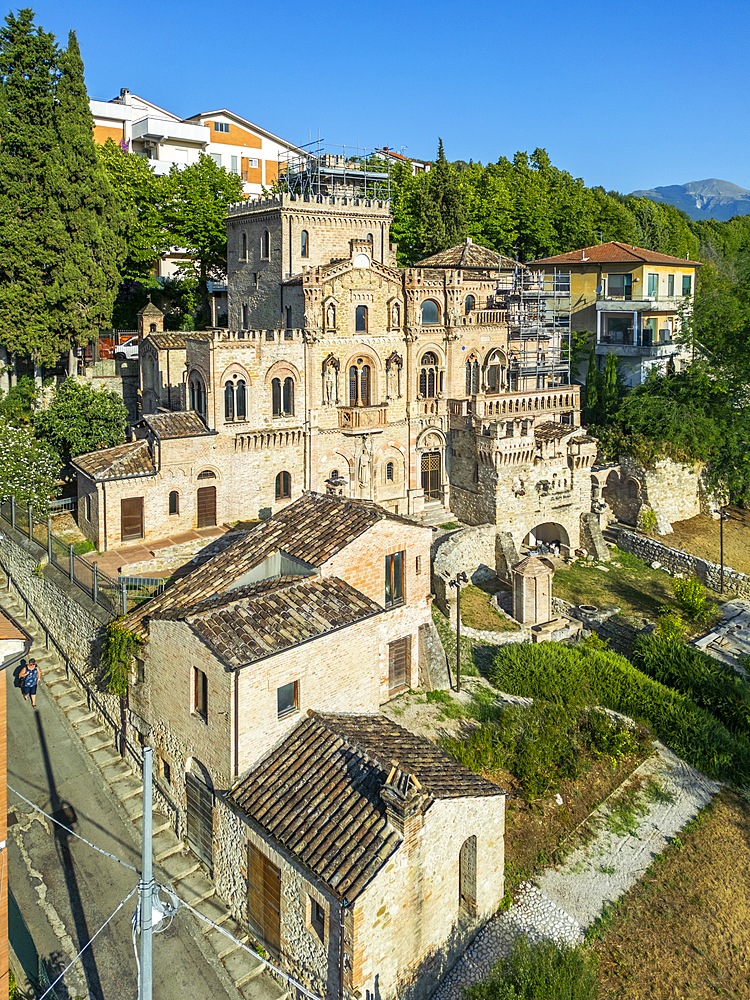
{"type": "Point", "coordinates": [631, 300]}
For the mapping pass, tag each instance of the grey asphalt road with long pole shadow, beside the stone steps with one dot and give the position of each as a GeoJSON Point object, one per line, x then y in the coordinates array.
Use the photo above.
{"type": "Point", "coordinates": [66, 891]}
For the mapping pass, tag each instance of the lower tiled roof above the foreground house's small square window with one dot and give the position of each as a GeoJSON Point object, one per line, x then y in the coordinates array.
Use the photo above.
{"type": "Point", "coordinates": [277, 615]}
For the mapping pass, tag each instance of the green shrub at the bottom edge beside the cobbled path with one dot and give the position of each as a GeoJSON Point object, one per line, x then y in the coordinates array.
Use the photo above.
{"type": "Point", "coordinates": [542, 971]}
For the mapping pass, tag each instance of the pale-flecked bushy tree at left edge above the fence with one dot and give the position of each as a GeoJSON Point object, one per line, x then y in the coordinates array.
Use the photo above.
{"type": "Point", "coordinates": [29, 468]}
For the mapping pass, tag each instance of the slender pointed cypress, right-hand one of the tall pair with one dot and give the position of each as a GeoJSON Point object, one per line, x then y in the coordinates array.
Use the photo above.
{"type": "Point", "coordinates": [86, 278]}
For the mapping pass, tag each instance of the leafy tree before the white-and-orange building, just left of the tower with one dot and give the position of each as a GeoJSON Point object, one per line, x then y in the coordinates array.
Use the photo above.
{"type": "Point", "coordinates": [195, 214]}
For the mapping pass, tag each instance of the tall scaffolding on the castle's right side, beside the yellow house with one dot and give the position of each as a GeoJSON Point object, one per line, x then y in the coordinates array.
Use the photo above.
{"type": "Point", "coordinates": [538, 310]}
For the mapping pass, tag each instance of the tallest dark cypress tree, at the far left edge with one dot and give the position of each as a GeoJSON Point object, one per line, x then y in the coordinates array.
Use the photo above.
{"type": "Point", "coordinates": [31, 237]}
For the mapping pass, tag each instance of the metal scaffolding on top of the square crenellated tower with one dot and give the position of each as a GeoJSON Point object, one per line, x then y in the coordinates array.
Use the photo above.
{"type": "Point", "coordinates": [320, 171]}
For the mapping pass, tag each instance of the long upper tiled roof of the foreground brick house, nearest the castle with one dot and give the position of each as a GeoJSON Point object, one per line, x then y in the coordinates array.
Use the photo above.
{"type": "Point", "coordinates": [311, 530]}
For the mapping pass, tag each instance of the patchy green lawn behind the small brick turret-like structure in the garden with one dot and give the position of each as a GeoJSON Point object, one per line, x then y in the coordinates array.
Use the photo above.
{"type": "Point", "coordinates": [632, 586]}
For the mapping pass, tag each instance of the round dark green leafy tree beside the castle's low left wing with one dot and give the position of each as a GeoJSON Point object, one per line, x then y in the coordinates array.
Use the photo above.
{"type": "Point", "coordinates": [81, 419]}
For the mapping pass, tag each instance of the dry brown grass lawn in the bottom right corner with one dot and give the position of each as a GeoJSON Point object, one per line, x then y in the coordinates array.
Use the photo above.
{"type": "Point", "coordinates": [684, 929]}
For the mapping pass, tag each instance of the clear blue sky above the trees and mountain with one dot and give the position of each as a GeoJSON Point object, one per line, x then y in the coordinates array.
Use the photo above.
{"type": "Point", "coordinates": [628, 95]}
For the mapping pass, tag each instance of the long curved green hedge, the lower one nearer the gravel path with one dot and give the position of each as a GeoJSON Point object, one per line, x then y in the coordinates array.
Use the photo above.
{"type": "Point", "coordinates": [579, 676]}
